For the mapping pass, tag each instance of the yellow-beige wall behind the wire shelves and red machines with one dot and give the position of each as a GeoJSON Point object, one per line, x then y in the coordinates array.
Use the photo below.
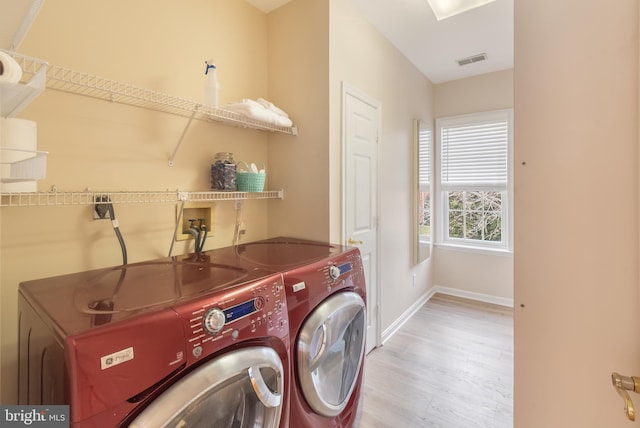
{"type": "Point", "coordinates": [159, 45]}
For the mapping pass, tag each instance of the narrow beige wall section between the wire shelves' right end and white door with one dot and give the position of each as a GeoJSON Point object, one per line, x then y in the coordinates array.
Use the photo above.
{"type": "Point", "coordinates": [299, 78]}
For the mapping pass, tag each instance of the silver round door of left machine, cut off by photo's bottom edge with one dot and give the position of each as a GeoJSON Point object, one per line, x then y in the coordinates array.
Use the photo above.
{"type": "Point", "coordinates": [240, 389]}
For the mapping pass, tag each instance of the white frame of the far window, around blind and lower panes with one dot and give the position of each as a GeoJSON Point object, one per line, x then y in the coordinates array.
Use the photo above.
{"type": "Point", "coordinates": [441, 190]}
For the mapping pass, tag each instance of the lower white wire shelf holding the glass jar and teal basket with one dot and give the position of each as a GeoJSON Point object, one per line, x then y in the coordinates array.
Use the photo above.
{"type": "Point", "coordinates": [30, 199]}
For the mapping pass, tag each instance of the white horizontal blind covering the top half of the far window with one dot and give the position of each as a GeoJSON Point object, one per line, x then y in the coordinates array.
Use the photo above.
{"type": "Point", "coordinates": [474, 155]}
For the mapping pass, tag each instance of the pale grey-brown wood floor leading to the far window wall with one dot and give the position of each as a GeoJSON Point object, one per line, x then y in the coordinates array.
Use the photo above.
{"type": "Point", "coordinates": [449, 366]}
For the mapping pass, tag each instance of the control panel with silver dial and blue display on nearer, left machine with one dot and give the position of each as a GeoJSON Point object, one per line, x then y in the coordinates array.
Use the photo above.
{"type": "Point", "coordinates": [221, 318]}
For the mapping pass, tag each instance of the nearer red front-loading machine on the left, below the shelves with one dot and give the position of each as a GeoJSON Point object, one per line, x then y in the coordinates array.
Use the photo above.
{"type": "Point", "coordinates": [179, 341]}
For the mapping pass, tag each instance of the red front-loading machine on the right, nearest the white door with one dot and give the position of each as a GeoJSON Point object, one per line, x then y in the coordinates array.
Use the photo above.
{"type": "Point", "coordinates": [326, 295]}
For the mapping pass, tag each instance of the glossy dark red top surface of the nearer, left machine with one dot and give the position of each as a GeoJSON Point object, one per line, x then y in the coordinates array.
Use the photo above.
{"type": "Point", "coordinates": [85, 300]}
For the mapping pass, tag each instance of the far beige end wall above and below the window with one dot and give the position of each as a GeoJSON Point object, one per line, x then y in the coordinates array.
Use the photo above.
{"type": "Point", "coordinates": [486, 276]}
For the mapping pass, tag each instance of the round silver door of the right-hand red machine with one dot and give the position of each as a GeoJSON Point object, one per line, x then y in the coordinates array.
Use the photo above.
{"type": "Point", "coordinates": [330, 350]}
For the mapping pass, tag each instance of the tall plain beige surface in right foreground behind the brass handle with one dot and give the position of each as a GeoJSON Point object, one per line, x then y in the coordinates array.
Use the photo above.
{"type": "Point", "coordinates": [576, 177]}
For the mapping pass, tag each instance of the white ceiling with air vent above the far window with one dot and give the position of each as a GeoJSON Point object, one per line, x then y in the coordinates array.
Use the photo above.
{"type": "Point", "coordinates": [435, 46]}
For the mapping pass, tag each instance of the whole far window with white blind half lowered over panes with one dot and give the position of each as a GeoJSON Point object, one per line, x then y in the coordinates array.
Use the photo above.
{"type": "Point", "coordinates": [474, 178]}
